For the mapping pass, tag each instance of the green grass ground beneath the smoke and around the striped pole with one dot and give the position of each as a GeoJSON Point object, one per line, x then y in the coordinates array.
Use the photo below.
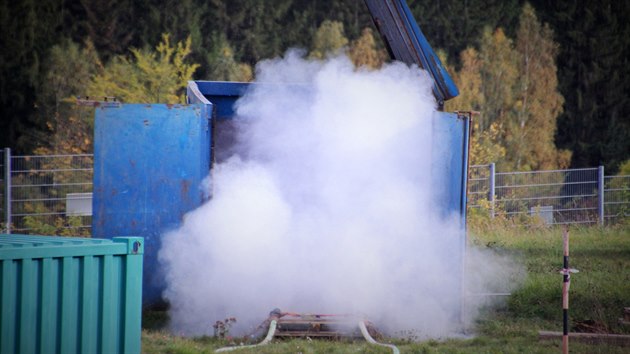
{"type": "Point", "coordinates": [598, 295]}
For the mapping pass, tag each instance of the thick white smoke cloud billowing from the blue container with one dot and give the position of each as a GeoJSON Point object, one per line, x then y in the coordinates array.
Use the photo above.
{"type": "Point", "coordinates": [324, 207]}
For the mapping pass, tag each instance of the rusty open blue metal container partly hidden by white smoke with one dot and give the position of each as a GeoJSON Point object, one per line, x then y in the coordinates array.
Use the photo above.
{"type": "Point", "coordinates": [150, 161]}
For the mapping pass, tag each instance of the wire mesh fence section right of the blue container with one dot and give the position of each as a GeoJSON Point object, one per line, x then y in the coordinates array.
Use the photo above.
{"type": "Point", "coordinates": [575, 196]}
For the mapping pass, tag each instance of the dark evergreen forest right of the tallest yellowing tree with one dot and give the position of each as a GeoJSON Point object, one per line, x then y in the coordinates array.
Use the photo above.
{"type": "Point", "coordinates": [594, 75]}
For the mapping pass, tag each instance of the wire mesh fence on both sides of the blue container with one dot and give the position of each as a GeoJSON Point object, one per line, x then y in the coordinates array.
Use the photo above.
{"type": "Point", "coordinates": [52, 194]}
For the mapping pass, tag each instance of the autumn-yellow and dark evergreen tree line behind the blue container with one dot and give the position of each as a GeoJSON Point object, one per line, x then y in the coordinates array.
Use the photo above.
{"type": "Point", "coordinates": [550, 79]}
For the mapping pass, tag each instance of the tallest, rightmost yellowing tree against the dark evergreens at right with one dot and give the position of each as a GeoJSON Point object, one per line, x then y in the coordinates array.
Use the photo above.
{"type": "Point", "coordinates": [530, 131]}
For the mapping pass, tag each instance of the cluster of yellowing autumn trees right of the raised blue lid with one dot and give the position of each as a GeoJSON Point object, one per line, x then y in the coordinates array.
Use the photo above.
{"type": "Point", "coordinates": [514, 86]}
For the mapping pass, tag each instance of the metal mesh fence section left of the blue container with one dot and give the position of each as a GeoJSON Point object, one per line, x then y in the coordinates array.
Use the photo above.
{"type": "Point", "coordinates": [47, 194]}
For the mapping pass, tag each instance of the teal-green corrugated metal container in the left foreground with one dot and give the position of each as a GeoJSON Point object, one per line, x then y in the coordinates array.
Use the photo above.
{"type": "Point", "coordinates": [70, 295]}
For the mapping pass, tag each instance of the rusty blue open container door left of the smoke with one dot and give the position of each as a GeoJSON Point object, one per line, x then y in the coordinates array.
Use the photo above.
{"type": "Point", "coordinates": [149, 164]}
